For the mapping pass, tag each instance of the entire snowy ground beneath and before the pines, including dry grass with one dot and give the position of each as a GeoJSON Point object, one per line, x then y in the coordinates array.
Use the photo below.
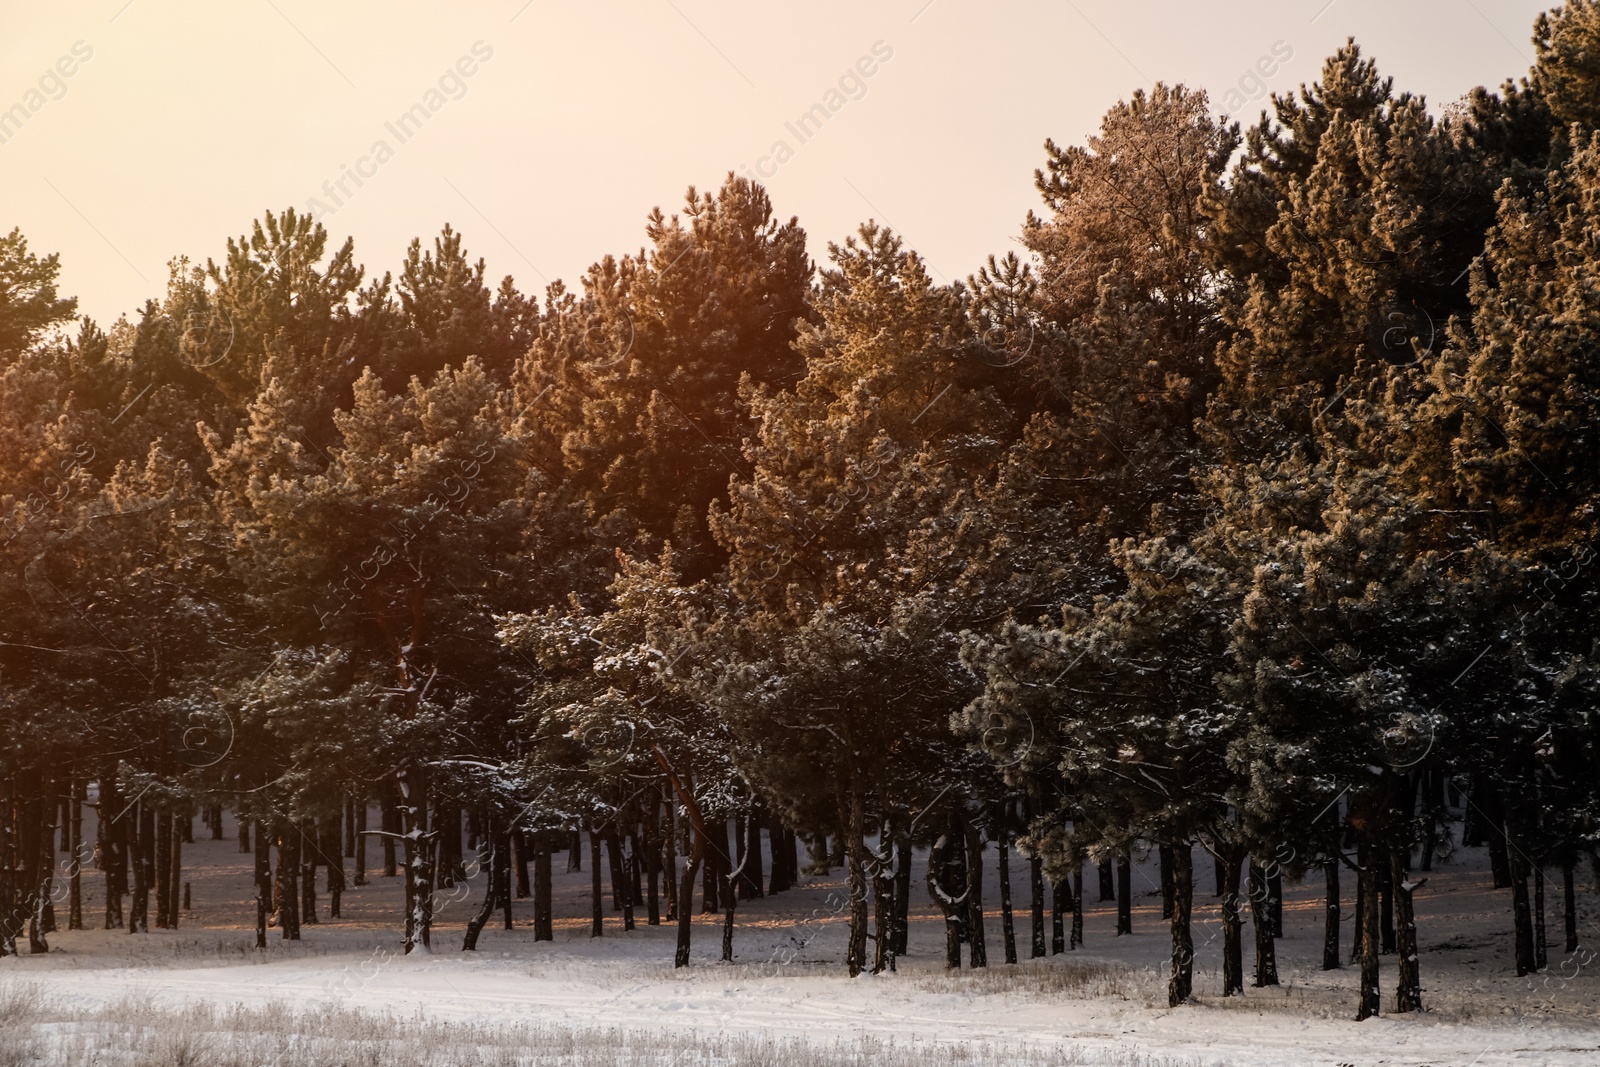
{"type": "Point", "coordinates": [202, 994]}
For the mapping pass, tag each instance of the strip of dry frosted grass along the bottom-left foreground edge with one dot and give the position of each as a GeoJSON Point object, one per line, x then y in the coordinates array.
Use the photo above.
{"type": "Point", "coordinates": [135, 1033]}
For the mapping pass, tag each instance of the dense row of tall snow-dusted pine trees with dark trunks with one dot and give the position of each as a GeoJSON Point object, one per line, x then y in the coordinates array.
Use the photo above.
{"type": "Point", "coordinates": [1252, 511]}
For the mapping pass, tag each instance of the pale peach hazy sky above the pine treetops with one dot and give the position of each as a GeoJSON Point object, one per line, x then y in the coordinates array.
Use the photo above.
{"type": "Point", "coordinates": [188, 121]}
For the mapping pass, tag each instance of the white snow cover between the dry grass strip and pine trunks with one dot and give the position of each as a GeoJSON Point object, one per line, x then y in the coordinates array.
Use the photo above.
{"type": "Point", "coordinates": [1102, 1002]}
